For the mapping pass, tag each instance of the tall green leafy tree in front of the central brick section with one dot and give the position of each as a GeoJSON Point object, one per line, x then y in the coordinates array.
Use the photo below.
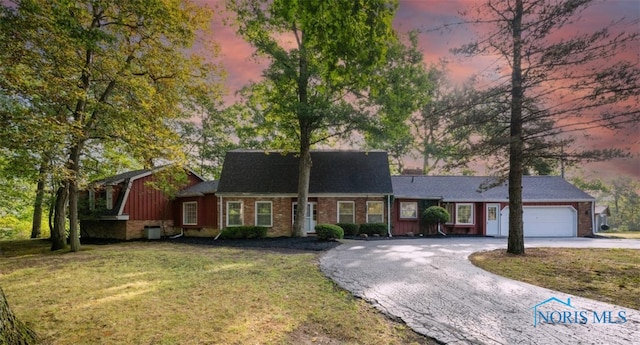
{"type": "Point", "coordinates": [322, 56]}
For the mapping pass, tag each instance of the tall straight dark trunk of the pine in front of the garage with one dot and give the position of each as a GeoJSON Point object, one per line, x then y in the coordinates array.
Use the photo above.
{"type": "Point", "coordinates": [515, 243]}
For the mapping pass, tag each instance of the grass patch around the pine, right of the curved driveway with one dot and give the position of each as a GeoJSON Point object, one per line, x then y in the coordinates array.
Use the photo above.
{"type": "Point", "coordinates": [608, 275]}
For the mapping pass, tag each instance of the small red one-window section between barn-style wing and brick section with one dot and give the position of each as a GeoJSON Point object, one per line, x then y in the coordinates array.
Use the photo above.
{"type": "Point", "coordinates": [196, 210]}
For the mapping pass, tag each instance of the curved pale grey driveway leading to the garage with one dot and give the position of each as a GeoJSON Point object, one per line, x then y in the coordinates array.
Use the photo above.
{"type": "Point", "coordinates": [431, 285]}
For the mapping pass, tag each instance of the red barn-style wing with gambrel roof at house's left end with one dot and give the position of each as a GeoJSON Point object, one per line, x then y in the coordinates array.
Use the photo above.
{"type": "Point", "coordinates": [126, 206]}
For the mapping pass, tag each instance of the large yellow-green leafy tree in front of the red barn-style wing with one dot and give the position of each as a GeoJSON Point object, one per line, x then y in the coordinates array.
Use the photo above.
{"type": "Point", "coordinates": [115, 73]}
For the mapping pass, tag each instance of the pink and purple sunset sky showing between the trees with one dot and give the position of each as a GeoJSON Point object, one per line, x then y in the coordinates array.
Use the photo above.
{"type": "Point", "coordinates": [241, 67]}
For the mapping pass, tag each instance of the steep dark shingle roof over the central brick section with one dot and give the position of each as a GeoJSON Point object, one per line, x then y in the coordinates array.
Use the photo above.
{"type": "Point", "coordinates": [340, 172]}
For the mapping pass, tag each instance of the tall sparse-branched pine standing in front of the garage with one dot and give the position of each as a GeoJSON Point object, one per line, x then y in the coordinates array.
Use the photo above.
{"type": "Point", "coordinates": [553, 71]}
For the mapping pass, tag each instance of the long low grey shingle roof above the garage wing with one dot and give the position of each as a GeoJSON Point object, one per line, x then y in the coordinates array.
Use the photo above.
{"type": "Point", "coordinates": [469, 188]}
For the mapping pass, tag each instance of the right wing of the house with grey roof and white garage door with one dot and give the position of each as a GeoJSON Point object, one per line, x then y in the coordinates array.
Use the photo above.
{"type": "Point", "coordinates": [552, 207]}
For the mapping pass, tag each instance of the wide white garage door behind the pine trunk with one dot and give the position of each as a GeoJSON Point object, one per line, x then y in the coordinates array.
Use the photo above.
{"type": "Point", "coordinates": [544, 221]}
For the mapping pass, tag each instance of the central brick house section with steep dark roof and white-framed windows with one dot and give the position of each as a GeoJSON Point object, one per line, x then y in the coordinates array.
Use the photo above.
{"type": "Point", "coordinates": [260, 188]}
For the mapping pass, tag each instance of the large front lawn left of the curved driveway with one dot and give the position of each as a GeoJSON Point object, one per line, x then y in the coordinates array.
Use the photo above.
{"type": "Point", "coordinates": [171, 293]}
